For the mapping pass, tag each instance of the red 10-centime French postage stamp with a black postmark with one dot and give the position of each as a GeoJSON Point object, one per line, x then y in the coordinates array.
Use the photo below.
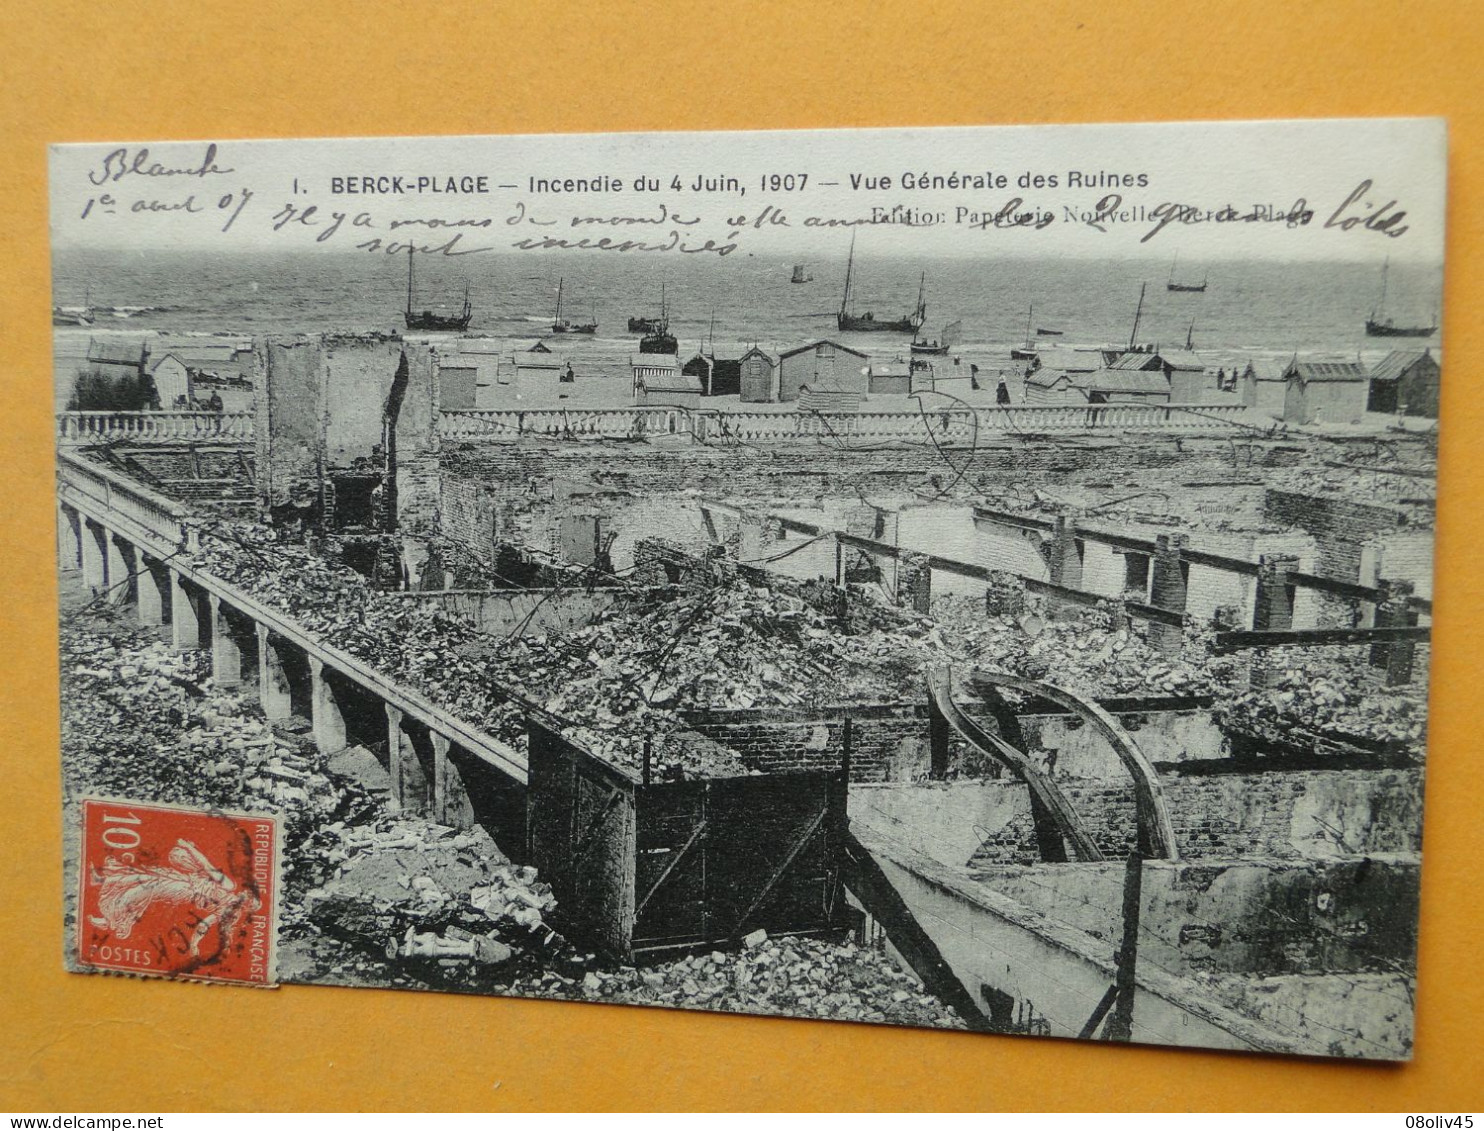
{"type": "Point", "coordinates": [179, 893]}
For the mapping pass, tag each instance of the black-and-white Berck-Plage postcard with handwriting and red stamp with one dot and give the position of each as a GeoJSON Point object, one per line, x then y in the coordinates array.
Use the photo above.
{"type": "Point", "coordinates": [973, 578]}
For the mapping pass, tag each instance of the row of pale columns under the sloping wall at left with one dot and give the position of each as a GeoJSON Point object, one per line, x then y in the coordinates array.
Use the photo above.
{"type": "Point", "coordinates": [422, 771]}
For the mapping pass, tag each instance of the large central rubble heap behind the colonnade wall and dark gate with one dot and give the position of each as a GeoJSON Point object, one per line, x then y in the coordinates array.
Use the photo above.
{"type": "Point", "coordinates": [611, 683]}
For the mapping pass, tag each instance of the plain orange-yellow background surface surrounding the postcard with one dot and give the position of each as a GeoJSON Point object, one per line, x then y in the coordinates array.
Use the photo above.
{"type": "Point", "coordinates": [177, 69]}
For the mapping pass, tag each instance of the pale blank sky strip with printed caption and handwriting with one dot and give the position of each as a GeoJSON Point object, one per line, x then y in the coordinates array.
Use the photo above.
{"type": "Point", "coordinates": [1348, 191]}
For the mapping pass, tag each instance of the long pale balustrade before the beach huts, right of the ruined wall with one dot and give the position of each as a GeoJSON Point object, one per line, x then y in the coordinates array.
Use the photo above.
{"type": "Point", "coordinates": [948, 427]}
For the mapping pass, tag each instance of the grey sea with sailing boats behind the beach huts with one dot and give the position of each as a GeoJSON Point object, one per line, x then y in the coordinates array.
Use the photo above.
{"type": "Point", "coordinates": [1249, 308]}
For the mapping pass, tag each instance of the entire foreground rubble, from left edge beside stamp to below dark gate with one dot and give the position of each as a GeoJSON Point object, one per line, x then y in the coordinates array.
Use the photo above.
{"type": "Point", "coordinates": [388, 899]}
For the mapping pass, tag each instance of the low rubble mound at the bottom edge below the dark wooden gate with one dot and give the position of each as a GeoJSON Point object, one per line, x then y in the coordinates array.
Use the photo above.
{"type": "Point", "coordinates": [793, 977]}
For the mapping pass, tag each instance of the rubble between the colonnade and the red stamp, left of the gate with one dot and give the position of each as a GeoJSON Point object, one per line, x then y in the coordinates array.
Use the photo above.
{"type": "Point", "coordinates": [145, 722]}
